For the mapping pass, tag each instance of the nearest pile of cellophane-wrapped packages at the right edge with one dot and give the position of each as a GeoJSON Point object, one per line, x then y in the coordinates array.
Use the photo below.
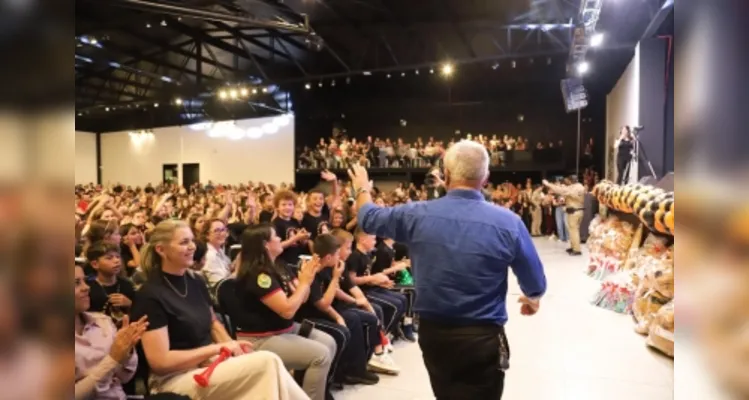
{"type": "Point", "coordinates": [653, 309]}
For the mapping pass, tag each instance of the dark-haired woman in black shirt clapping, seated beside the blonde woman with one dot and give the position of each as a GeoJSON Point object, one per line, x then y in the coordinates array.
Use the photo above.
{"type": "Point", "coordinates": [262, 301]}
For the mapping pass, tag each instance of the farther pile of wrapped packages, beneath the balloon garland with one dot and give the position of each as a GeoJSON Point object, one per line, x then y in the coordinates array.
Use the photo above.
{"type": "Point", "coordinates": [609, 242]}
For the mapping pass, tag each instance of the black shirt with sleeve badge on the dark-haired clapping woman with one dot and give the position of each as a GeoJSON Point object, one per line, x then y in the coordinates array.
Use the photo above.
{"type": "Point", "coordinates": [242, 301]}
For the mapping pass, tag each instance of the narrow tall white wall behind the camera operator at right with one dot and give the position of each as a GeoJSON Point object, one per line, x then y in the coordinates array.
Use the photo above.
{"type": "Point", "coordinates": [622, 108]}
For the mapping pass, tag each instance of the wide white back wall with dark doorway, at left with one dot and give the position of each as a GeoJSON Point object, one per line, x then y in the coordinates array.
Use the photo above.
{"type": "Point", "coordinates": [135, 160]}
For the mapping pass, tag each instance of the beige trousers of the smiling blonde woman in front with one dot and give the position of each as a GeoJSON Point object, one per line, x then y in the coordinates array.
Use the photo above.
{"type": "Point", "coordinates": [257, 376]}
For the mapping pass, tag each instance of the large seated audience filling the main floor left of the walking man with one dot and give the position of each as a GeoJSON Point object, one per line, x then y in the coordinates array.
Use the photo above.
{"type": "Point", "coordinates": [181, 274]}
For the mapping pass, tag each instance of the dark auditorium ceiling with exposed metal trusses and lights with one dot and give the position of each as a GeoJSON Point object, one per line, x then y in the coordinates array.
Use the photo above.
{"type": "Point", "coordinates": [190, 60]}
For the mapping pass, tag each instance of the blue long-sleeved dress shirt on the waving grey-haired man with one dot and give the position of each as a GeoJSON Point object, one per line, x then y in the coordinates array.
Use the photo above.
{"type": "Point", "coordinates": [461, 247]}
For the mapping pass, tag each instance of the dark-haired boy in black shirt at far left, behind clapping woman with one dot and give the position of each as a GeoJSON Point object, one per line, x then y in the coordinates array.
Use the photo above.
{"type": "Point", "coordinates": [110, 294]}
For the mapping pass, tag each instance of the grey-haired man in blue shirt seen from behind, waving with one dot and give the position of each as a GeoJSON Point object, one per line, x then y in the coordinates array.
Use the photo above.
{"type": "Point", "coordinates": [461, 247]}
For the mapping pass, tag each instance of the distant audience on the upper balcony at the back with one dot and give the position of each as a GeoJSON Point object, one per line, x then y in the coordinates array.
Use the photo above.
{"type": "Point", "coordinates": [341, 151]}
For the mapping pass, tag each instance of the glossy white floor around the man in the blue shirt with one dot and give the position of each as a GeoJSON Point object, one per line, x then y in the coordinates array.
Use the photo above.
{"type": "Point", "coordinates": [571, 350]}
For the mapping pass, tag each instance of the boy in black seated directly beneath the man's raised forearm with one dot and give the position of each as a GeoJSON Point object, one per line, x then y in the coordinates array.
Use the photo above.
{"type": "Point", "coordinates": [375, 286]}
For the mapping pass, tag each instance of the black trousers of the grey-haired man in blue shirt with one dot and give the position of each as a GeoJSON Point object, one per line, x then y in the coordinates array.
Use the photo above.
{"type": "Point", "coordinates": [463, 361]}
